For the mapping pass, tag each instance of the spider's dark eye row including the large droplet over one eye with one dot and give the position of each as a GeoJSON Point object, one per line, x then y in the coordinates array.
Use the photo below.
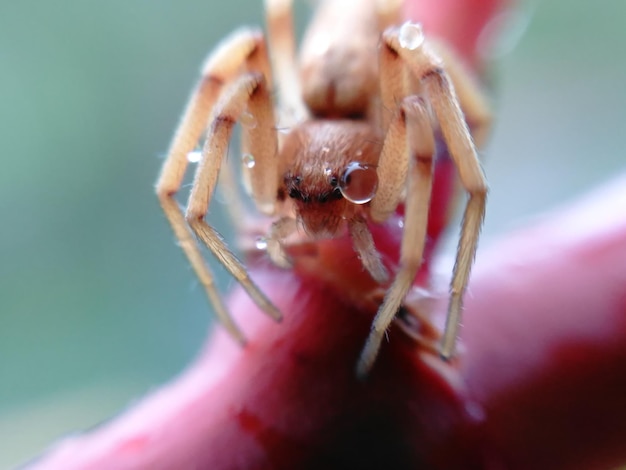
{"type": "Point", "coordinates": [358, 183]}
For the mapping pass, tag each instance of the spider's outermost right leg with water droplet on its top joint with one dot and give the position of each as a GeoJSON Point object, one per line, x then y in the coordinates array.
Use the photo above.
{"type": "Point", "coordinates": [427, 67]}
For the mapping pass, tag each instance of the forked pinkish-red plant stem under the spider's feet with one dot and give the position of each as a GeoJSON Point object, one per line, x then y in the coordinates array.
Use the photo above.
{"type": "Point", "coordinates": [542, 383]}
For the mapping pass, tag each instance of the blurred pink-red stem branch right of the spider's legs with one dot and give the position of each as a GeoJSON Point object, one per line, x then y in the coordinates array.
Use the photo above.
{"type": "Point", "coordinates": [546, 339]}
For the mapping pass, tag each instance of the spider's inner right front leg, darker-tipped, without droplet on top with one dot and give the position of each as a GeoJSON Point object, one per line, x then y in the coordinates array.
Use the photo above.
{"type": "Point", "coordinates": [419, 184]}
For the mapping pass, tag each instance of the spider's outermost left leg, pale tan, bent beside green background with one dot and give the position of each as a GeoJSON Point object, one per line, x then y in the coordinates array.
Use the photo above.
{"type": "Point", "coordinates": [220, 68]}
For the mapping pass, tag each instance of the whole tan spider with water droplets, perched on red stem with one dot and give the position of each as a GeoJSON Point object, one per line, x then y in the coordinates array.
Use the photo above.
{"type": "Point", "coordinates": [363, 81]}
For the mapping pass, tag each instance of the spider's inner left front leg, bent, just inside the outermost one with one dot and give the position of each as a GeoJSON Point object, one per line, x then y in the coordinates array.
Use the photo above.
{"type": "Point", "coordinates": [227, 113]}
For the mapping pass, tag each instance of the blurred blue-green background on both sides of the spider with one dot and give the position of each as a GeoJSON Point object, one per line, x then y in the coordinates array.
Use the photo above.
{"type": "Point", "coordinates": [97, 304]}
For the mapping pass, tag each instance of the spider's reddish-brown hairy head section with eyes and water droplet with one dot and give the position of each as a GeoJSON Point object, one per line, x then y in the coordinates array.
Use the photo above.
{"type": "Point", "coordinates": [331, 173]}
